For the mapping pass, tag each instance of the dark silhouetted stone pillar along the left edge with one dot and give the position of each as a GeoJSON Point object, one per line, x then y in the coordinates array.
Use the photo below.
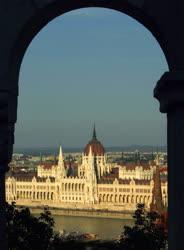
{"type": "Point", "coordinates": [8, 111]}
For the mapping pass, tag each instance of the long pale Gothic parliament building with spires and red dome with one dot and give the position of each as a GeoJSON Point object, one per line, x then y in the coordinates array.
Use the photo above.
{"type": "Point", "coordinates": [93, 184]}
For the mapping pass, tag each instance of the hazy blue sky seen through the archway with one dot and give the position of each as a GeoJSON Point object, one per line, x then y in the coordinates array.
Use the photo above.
{"type": "Point", "coordinates": [91, 65]}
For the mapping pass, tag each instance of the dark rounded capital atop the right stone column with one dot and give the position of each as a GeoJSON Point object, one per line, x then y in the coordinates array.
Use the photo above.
{"type": "Point", "coordinates": [170, 91]}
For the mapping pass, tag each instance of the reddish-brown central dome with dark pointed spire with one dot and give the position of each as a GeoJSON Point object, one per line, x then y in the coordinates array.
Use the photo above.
{"type": "Point", "coordinates": [96, 146]}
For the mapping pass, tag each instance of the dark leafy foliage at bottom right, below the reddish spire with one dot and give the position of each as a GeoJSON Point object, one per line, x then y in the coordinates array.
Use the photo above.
{"type": "Point", "coordinates": [146, 234]}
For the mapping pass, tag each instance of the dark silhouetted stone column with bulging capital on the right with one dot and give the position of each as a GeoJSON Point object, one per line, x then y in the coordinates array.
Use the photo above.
{"type": "Point", "coordinates": [170, 92]}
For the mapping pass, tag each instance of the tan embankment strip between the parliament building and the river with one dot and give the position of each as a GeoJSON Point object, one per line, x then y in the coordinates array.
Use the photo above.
{"type": "Point", "coordinates": [84, 213]}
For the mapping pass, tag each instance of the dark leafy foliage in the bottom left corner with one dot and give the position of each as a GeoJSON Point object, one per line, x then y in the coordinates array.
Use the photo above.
{"type": "Point", "coordinates": [25, 231]}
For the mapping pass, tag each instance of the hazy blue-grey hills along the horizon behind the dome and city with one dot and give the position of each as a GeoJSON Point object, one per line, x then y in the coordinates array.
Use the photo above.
{"type": "Point", "coordinates": [52, 150]}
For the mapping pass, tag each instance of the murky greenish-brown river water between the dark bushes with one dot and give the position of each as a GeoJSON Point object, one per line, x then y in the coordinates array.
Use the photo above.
{"type": "Point", "coordinates": [105, 228]}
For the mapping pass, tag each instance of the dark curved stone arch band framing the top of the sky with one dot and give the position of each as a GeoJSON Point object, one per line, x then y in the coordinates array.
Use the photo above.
{"type": "Point", "coordinates": [31, 26]}
